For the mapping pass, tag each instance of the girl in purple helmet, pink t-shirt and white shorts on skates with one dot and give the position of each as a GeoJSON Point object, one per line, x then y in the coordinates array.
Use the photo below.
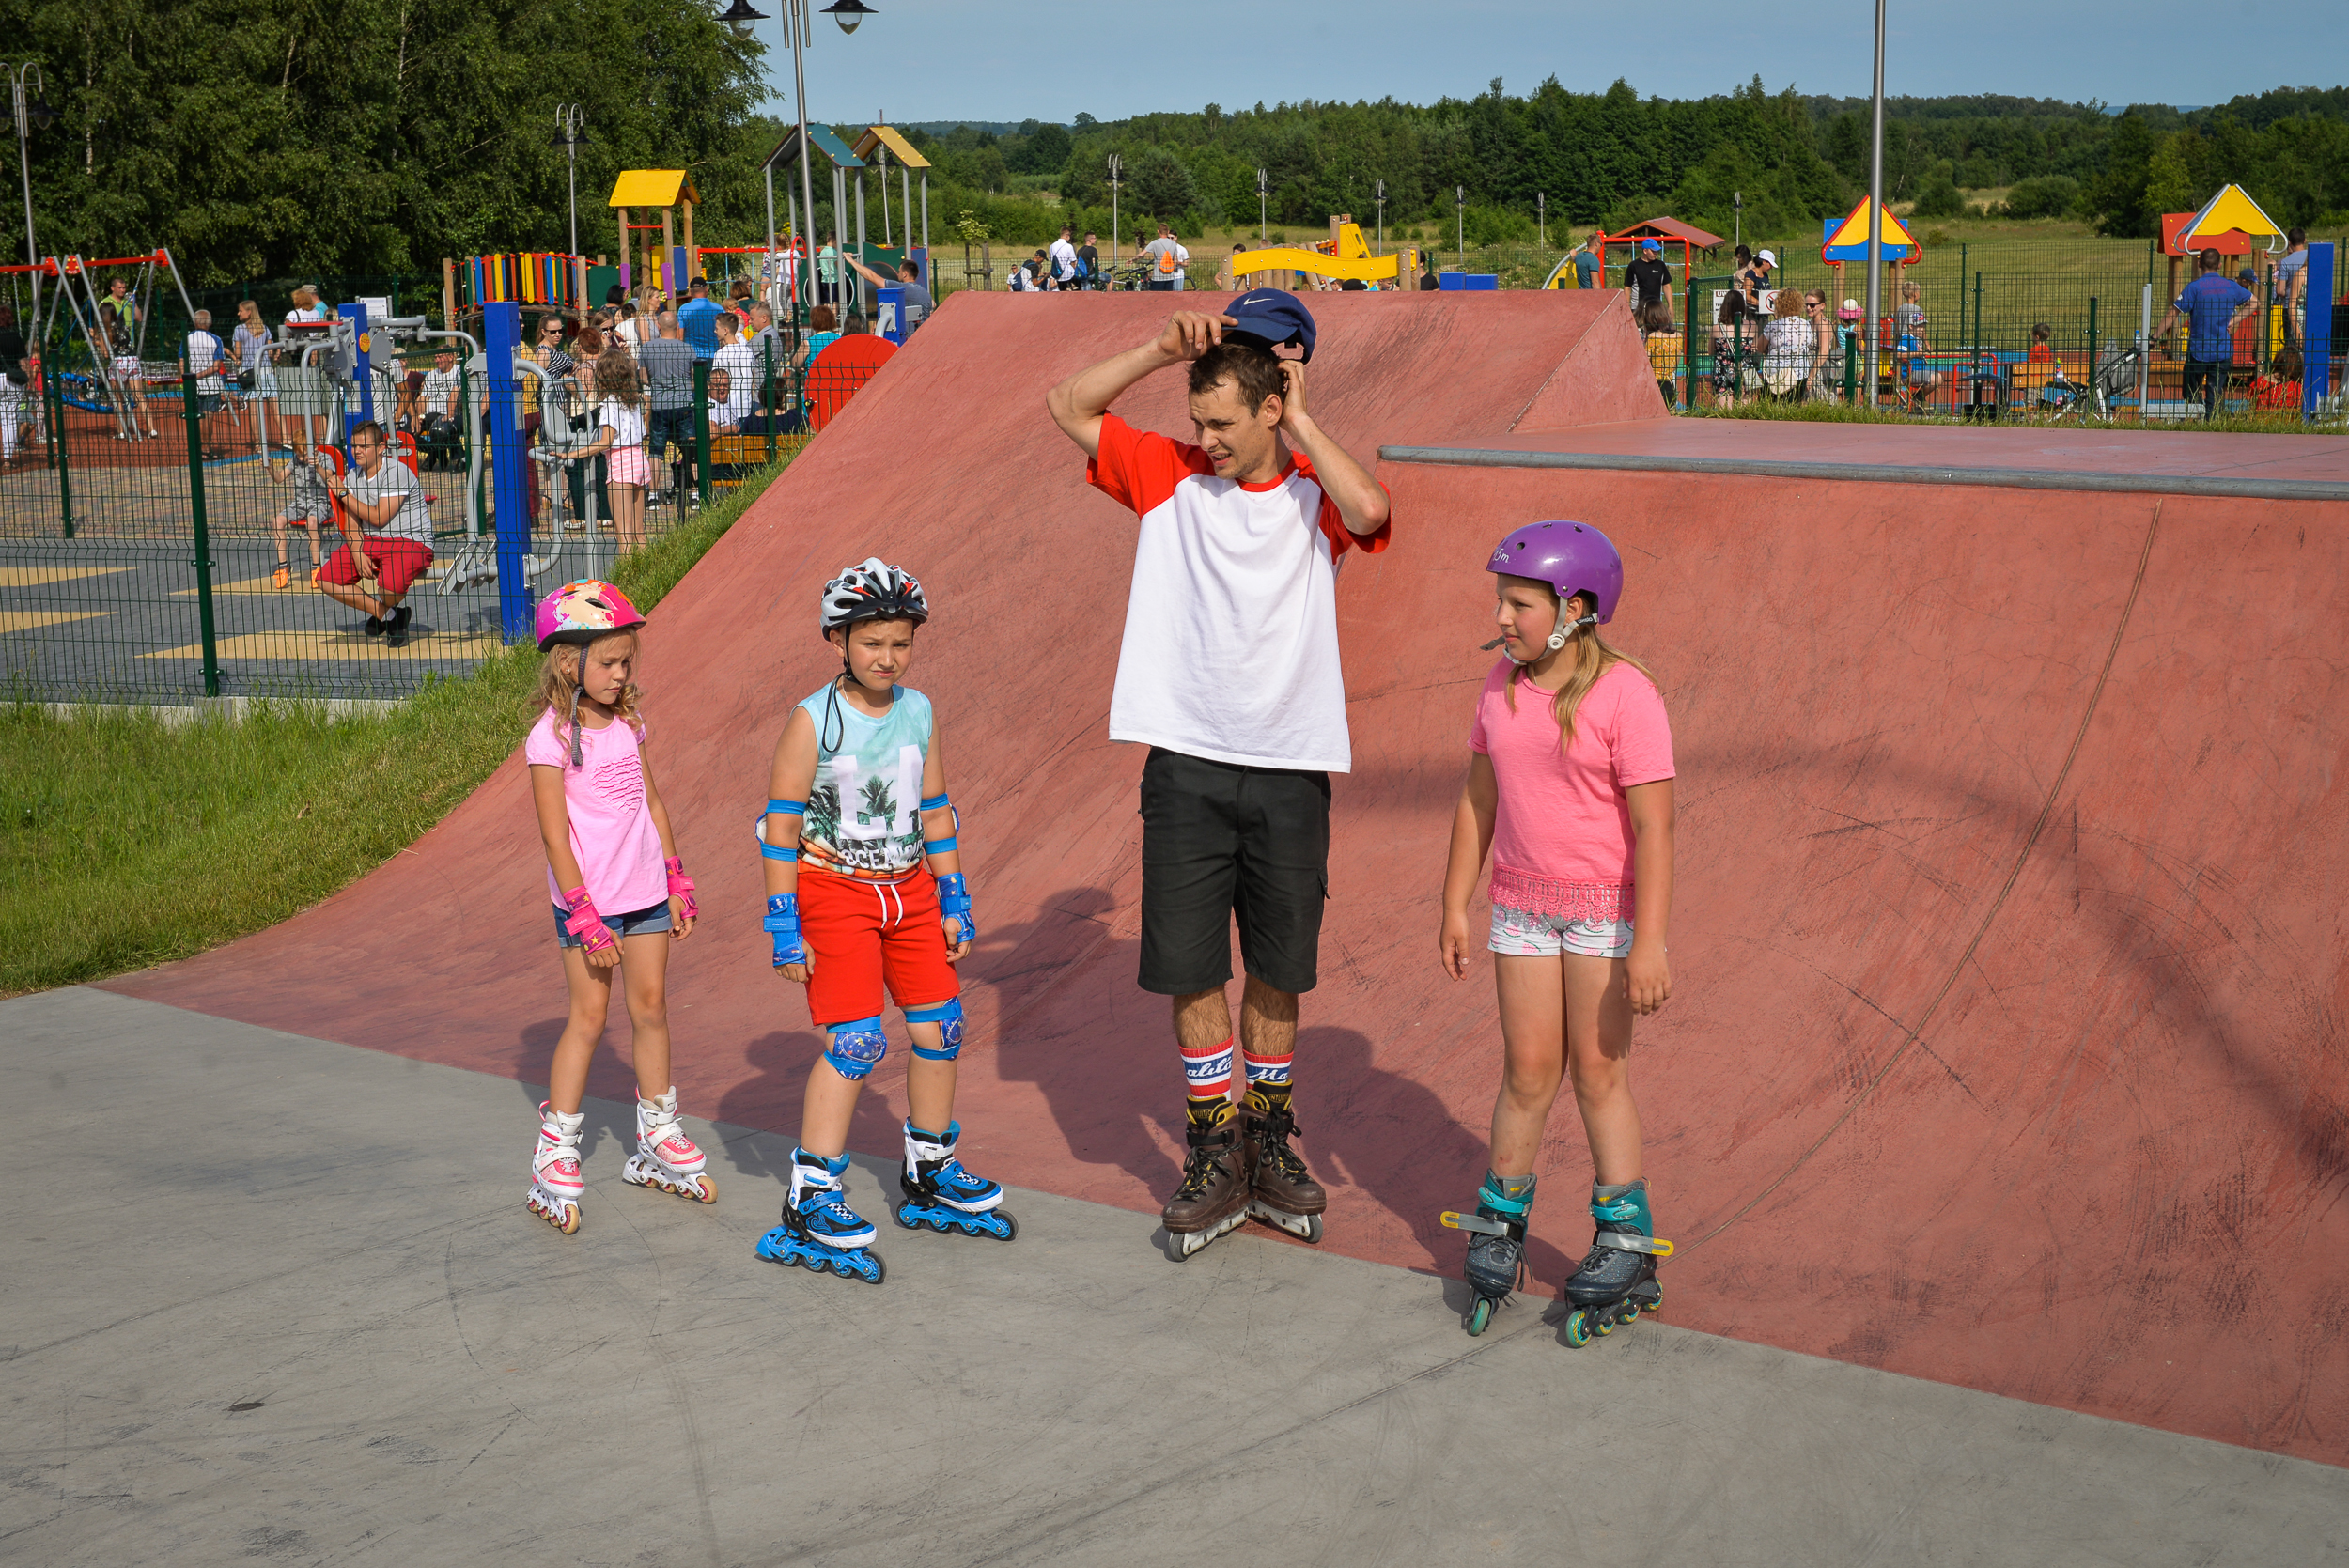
{"type": "Point", "coordinates": [1570, 788]}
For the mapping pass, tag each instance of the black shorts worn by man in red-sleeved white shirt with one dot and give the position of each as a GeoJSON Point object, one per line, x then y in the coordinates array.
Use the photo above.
{"type": "Point", "coordinates": [1223, 842]}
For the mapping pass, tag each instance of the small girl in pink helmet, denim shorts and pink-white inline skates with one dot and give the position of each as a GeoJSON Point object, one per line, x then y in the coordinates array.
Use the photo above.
{"type": "Point", "coordinates": [619, 891]}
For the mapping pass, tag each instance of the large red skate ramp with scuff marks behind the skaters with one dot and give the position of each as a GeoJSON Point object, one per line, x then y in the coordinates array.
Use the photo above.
{"type": "Point", "coordinates": [2007, 1032]}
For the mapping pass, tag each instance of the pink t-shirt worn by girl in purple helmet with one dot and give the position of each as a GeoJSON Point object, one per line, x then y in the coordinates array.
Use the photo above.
{"type": "Point", "coordinates": [1563, 837]}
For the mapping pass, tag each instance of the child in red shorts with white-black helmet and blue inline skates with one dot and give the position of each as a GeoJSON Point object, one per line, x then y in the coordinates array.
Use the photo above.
{"type": "Point", "coordinates": [866, 893]}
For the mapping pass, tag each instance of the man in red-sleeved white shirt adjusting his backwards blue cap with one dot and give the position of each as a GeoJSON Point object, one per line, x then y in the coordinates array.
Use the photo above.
{"type": "Point", "coordinates": [1232, 677]}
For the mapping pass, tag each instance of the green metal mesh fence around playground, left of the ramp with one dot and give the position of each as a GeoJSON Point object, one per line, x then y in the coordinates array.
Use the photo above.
{"type": "Point", "coordinates": [170, 536]}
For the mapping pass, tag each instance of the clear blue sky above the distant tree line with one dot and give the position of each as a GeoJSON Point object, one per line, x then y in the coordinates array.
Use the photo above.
{"type": "Point", "coordinates": [992, 60]}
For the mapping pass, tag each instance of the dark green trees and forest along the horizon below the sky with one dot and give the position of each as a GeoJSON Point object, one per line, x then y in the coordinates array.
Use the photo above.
{"type": "Point", "coordinates": [375, 137]}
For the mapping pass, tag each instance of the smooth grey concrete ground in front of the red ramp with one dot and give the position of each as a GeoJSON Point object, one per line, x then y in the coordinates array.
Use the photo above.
{"type": "Point", "coordinates": [274, 1299]}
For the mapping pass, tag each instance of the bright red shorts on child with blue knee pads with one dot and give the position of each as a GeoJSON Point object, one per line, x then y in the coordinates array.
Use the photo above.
{"type": "Point", "coordinates": [866, 935]}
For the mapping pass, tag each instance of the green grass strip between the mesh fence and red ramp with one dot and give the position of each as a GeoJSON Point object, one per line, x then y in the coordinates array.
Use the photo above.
{"type": "Point", "coordinates": [128, 842]}
